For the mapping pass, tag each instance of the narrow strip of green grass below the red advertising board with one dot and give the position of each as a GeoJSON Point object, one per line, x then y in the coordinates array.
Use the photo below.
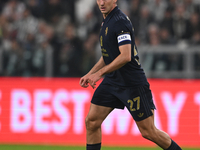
{"type": "Point", "coordinates": [31, 147]}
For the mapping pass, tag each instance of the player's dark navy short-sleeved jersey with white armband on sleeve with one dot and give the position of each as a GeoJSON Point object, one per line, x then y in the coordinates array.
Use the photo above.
{"type": "Point", "coordinates": [117, 30]}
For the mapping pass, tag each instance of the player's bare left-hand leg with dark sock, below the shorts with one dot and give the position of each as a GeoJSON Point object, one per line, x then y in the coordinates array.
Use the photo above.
{"type": "Point", "coordinates": [93, 123]}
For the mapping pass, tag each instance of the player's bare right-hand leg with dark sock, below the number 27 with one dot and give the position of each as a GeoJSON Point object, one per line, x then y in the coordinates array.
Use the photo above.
{"type": "Point", "coordinates": [150, 132]}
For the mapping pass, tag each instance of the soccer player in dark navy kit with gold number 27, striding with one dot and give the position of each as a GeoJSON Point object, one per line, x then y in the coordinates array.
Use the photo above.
{"type": "Point", "coordinates": [125, 83]}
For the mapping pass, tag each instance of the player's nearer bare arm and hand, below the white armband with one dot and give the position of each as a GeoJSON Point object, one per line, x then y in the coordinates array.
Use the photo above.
{"type": "Point", "coordinates": [123, 58]}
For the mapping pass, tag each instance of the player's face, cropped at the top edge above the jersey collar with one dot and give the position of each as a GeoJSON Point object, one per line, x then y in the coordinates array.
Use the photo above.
{"type": "Point", "coordinates": [106, 6]}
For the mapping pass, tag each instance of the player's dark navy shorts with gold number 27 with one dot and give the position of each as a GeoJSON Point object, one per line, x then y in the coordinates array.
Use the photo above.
{"type": "Point", "coordinates": [138, 100]}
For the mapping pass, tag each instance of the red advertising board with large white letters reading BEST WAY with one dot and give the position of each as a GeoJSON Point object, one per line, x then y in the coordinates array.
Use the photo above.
{"type": "Point", "coordinates": [52, 111]}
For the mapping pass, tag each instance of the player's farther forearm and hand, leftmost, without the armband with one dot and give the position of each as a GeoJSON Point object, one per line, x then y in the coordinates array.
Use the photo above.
{"type": "Point", "coordinates": [84, 80]}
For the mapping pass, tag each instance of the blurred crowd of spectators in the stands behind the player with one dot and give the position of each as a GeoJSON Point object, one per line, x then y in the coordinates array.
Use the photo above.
{"type": "Point", "coordinates": [46, 38]}
